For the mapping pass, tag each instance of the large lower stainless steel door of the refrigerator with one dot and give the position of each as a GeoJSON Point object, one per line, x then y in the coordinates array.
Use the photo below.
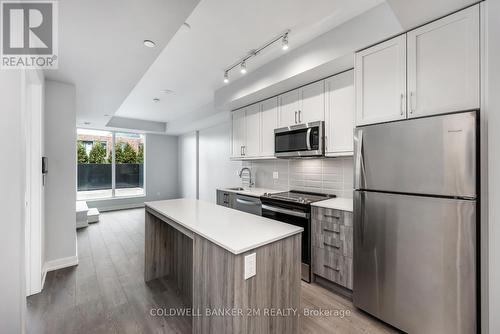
{"type": "Point", "coordinates": [415, 261]}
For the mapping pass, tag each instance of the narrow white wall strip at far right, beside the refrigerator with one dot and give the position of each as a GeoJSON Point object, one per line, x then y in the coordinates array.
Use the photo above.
{"type": "Point", "coordinates": [492, 107]}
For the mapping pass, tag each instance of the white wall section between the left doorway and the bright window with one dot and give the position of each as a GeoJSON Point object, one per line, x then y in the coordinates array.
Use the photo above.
{"type": "Point", "coordinates": [60, 186]}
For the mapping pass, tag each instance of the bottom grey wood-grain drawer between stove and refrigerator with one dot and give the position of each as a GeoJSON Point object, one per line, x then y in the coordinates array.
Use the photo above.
{"type": "Point", "coordinates": [333, 266]}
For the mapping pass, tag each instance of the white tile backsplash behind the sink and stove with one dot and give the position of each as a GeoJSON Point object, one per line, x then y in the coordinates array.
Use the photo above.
{"type": "Point", "coordinates": [329, 175]}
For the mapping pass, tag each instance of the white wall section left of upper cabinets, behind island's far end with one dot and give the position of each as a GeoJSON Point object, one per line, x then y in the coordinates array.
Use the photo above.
{"type": "Point", "coordinates": [216, 170]}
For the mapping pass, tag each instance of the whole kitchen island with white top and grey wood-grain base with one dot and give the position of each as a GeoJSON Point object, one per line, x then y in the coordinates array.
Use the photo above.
{"type": "Point", "coordinates": [206, 252]}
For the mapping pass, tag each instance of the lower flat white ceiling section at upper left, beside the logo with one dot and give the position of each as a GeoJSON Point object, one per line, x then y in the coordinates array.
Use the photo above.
{"type": "Point", "coordinates": [101, 48]}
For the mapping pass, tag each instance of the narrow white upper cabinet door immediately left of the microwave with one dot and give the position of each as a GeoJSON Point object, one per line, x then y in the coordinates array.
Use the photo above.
{"type": "Point", "coordinates": [268, 122]}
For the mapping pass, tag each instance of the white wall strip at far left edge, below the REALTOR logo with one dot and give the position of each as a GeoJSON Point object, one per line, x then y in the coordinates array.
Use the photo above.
{"type": "Point", "coordinates": [12, 286]}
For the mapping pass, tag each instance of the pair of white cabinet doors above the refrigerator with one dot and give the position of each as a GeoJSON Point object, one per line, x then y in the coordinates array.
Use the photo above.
{"type": "Point", "coordinates": [441, 60]}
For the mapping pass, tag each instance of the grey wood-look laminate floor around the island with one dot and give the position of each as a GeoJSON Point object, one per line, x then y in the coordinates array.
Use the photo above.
{"type": "Point", "coordinates": [106, 292]}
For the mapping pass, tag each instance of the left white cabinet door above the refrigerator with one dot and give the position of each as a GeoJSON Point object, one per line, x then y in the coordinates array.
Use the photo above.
{"type": "Point", "coordinates": [380, 74]}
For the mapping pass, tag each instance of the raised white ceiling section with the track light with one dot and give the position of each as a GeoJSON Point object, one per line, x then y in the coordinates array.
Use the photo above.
{"type": "Point", "coordinates": [222, 31]}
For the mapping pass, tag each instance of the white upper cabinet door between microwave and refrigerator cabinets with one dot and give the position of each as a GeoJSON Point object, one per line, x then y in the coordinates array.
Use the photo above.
{"type": "Point", "coordinates": [339, 114]}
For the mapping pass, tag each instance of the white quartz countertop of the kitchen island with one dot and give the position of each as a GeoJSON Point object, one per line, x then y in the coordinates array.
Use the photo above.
{"type": "Point", "coordinates": [233, 230]}
